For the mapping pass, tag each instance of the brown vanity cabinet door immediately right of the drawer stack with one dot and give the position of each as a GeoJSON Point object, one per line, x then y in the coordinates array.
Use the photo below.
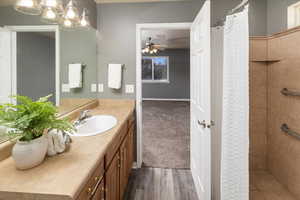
{"type": "Point", "coordinates": [112, 178]}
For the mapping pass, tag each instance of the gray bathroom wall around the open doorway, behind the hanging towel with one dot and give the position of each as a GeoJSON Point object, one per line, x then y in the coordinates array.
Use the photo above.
{"type": "Point", "coordinates": [117, 26]}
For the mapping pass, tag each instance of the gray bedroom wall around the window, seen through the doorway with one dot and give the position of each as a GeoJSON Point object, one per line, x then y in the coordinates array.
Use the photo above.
{"type": "Point", "coordinates": [179, 77]}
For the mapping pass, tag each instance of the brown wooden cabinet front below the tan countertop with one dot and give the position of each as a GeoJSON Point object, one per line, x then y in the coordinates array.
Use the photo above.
{"type": "Point", "coordinates": [110, 179]}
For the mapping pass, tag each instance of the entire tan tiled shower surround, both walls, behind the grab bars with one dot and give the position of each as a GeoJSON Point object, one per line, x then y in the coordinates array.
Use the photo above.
{"type": "Point", "coordinates": [275, 64]}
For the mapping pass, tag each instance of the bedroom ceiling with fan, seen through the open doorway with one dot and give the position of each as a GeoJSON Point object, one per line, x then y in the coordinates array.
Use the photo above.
{"type": "Point", "coordinates": [168, 39]}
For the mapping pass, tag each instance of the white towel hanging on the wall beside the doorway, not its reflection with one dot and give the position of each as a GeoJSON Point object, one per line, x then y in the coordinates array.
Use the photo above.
{"type": "Point", "coordinates": [114, 76]}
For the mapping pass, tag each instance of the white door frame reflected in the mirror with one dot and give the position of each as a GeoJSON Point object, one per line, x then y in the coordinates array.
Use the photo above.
{"type": "Point", "coordinates": [38, 28]}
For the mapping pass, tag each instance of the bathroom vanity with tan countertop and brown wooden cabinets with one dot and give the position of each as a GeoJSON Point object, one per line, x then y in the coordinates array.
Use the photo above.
{"type": "Point", "coordinates": [95, 167]}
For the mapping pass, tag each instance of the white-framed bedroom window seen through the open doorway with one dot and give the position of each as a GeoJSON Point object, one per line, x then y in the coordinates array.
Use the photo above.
{"type": "Point", "coordinates": [155, 69]}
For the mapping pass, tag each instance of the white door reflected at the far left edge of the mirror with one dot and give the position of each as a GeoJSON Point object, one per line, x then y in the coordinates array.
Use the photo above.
{"type": "Point", "coordinates": [5, 66]}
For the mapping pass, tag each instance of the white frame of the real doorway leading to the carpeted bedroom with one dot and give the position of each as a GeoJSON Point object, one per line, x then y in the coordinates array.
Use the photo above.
{"type": "Point", "coordinates": [139, 29]}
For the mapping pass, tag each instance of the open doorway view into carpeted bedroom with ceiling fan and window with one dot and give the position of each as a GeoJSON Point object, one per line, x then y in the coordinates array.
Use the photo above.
{"type": "Point", "coordinates": [165, 98]}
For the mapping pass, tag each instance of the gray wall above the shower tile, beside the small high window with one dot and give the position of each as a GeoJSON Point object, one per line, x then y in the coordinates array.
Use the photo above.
{"type": "Point", "coordinates": [277, 15]}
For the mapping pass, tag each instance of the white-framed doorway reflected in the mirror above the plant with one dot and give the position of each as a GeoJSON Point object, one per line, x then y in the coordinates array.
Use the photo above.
{"type": "Point", "coordinates": [34, 61]}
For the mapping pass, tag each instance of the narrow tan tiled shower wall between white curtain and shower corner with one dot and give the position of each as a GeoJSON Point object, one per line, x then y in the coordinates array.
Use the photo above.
{"type": "Point", "coordinates": [258, 104]}
